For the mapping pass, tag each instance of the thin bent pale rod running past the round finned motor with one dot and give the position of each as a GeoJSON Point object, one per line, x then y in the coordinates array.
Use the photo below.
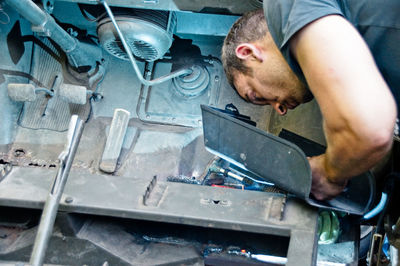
{"type": "Point", "coordinates": [128, 51]}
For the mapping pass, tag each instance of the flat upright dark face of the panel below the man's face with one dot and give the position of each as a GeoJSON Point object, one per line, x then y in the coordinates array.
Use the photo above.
{"type": "Point", "coordinates": [272, 158]}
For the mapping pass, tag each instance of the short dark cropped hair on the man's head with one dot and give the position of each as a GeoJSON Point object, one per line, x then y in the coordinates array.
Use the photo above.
{"type": "Point", "coordinates": [250, 27]}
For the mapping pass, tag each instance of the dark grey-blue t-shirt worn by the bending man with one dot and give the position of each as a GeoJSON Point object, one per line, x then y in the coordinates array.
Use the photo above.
{"type": "Point", "coordinates": [378, 21]}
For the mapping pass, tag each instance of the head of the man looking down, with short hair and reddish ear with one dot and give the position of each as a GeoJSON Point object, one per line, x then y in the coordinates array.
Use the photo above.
{"type": "Point", "coordinates": [256, 68]}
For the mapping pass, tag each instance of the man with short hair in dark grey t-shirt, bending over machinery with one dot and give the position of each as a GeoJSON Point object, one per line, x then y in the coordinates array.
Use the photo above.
{"type": "Point", "coordinates": [310, 48]}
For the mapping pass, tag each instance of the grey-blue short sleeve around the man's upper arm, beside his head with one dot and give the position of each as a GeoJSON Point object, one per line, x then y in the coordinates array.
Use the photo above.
{"type": "Point", "coordinates": [286, 17]}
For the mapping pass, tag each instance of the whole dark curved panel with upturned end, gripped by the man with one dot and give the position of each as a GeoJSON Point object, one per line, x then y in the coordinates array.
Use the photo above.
{"type": "Point", "coordinates": [278, 161]}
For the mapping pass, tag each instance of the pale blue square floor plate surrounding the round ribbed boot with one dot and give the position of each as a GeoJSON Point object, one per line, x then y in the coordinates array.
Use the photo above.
{"type": "Point", "coordinates": [164, 103]}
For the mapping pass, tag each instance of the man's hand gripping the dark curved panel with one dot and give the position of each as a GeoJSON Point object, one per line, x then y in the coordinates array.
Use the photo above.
{"type": "Point", "coordinates": [322, 188]}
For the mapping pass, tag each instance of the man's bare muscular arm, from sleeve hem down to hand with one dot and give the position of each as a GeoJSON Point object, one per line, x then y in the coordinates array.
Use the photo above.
{"type": "Point", "coordinates": [358, 108]}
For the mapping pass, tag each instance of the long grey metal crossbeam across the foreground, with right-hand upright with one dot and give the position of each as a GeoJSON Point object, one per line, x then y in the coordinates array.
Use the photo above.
{"type": "Point", "coordinates": [204, 206]}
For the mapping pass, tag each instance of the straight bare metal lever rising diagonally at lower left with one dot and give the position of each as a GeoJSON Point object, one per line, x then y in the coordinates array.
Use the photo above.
{"type": "Point", "coordinates": [53, 200]}
